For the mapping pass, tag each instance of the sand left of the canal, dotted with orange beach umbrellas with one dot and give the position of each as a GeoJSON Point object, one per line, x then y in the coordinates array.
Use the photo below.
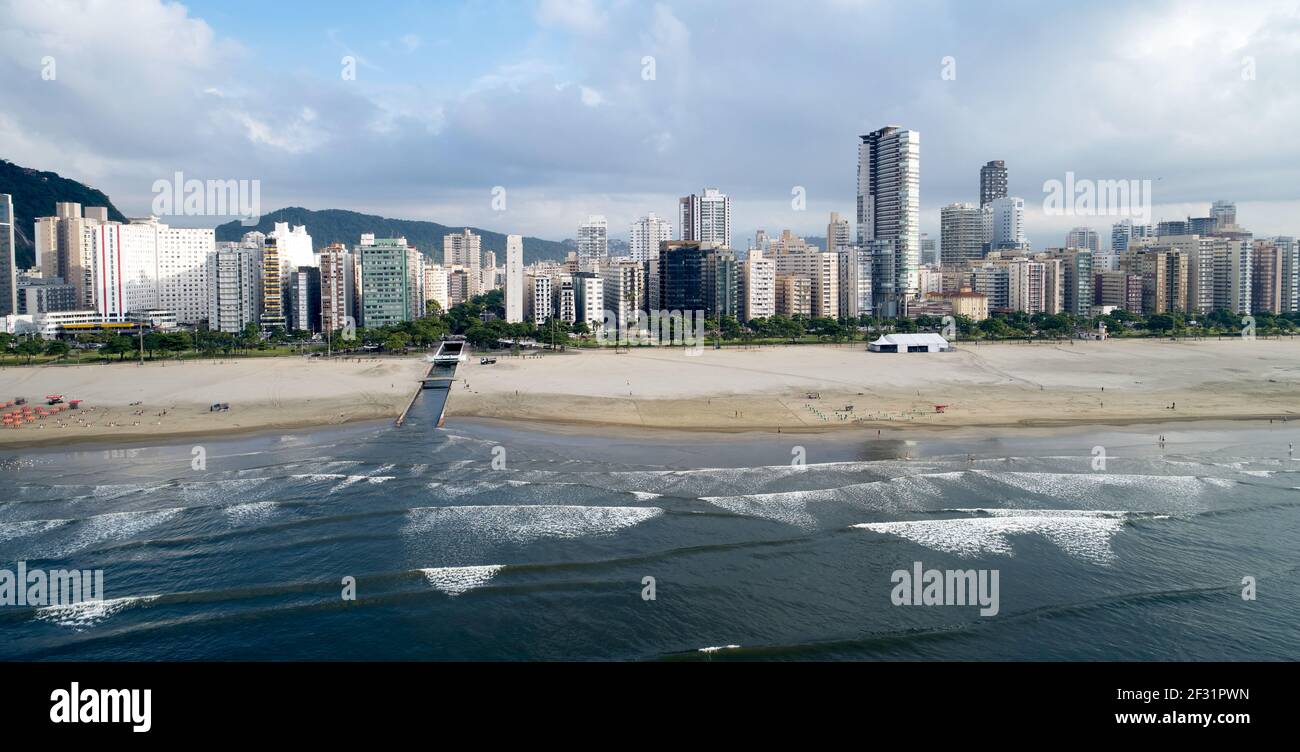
{"type": "Point", "coordinates": [127, 401]}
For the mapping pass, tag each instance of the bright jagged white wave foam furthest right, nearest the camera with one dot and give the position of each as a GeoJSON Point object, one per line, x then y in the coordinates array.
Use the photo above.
{"type": "Point", "coordinates": [1085, 535]}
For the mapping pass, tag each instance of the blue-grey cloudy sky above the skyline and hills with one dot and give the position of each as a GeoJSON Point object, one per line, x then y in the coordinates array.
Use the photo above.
{"type": "Point", "coordinates": [552, 101]}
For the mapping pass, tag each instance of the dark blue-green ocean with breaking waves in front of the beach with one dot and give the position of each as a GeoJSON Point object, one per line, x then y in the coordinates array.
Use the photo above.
{"type": "Point", "coordinates": [486, 541]}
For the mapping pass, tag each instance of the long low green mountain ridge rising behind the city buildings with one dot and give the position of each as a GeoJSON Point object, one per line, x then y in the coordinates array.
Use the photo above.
{"type": "Point", "coordinates": [346, 227]}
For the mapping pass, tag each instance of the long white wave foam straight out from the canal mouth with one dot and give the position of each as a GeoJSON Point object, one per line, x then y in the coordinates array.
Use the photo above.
{"type": "Point", "coordinates": [525, 524]}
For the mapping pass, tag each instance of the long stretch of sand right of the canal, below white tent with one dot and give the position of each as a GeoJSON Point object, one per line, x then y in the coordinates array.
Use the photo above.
{"type": "Point", "coordinates": [1113, 383]}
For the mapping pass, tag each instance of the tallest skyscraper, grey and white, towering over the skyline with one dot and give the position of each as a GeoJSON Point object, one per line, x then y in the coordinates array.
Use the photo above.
{"type": "Point", "coordinates": [890, 213]}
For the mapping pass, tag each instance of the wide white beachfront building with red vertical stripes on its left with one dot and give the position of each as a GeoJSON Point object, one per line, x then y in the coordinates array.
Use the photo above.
{"type": "Point", "coordinates": [146, 265]}
